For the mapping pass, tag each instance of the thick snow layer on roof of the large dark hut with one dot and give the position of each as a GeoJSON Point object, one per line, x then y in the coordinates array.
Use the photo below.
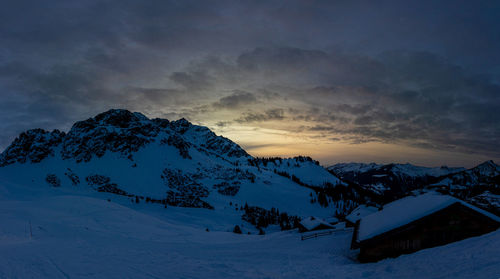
{"type": "Point", "coordinates": [407, 210]}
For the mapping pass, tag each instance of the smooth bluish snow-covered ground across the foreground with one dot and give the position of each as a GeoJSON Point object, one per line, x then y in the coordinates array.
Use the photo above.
{"type": "Point", "coordinates": [78, 236]}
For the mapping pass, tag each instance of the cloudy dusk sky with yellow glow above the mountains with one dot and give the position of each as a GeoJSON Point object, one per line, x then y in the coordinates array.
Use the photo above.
{"type": "Point", "coordinates": [340, 81]}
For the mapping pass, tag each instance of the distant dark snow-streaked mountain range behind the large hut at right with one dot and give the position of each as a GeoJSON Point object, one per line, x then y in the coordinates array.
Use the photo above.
{"type": "Point", "coordinates": [479, 185]}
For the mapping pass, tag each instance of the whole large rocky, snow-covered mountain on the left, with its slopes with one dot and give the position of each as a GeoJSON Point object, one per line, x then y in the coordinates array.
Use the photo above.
{"type": "Point", "coordinates": [171, 166]}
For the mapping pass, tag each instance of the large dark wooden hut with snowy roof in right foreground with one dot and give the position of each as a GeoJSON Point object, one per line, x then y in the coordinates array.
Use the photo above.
{"type": "Point", "coordinates": [413, 223]}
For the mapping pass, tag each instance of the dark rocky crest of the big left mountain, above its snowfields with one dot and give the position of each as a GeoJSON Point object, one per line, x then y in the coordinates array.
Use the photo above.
{"type": "Point", "coordinates": [116, 131]}
